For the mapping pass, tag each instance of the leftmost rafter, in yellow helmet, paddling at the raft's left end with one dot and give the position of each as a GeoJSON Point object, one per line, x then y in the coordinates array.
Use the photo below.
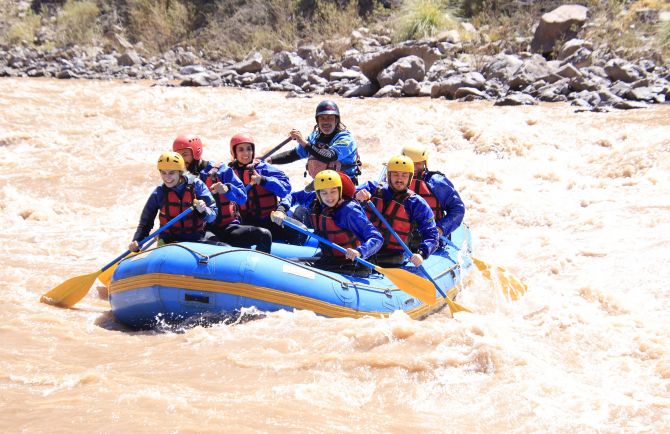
{"type": "Point", "coordinates": [178, 192]}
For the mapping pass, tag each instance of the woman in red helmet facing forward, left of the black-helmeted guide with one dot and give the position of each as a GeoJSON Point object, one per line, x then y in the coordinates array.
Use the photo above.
{"type": "Point", "coordinates": [265, 185]}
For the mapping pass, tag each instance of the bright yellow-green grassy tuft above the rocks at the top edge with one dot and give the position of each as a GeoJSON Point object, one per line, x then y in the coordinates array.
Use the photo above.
{"type": "Point", "coordinates": [423, 18]}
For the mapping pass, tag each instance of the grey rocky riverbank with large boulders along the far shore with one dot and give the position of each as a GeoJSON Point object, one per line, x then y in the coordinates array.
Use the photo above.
{"type": "Point", "coordinates": [592, 78]}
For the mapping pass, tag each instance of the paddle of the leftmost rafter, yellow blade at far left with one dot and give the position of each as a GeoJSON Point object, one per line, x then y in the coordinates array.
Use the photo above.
{"type": "Point", "coordinates": [68, 293]}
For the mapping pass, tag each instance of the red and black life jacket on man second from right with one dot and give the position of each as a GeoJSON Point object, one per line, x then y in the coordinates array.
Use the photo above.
{"type": "Point", "coordinates": [396, 215]}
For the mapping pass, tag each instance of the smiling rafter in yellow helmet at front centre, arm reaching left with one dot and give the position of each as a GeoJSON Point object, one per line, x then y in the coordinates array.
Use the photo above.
{"type": "Point", "coordinates": [335, 216]}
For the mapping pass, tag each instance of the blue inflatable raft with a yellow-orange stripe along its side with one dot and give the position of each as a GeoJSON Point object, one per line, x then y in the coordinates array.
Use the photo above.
{"type": "Point", "coordinates": [176, 282]}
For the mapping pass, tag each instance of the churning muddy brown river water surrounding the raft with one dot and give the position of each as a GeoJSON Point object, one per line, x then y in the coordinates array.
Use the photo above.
{"type": "Point", "coordinates": [577, 205]}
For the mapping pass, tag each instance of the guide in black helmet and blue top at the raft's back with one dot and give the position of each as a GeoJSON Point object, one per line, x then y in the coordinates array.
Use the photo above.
{"type": "Point", "coordinates": [329, 146]}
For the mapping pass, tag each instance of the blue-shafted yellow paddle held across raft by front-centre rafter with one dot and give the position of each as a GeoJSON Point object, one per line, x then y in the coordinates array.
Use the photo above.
{"type": "Point", "coordinates": [403, 279]}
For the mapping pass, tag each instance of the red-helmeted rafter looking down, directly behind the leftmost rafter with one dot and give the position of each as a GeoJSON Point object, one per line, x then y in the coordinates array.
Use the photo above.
{"type": "Point", "coordinates": [229, 193]}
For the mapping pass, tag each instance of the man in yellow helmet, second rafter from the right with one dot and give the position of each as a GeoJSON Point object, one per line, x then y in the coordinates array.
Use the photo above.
{"type": "Point", "coordinates": [408, 214]}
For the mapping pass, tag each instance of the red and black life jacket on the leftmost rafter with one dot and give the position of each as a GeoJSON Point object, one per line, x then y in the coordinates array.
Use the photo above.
{"type": "Point", "coordinates": [172, 206]}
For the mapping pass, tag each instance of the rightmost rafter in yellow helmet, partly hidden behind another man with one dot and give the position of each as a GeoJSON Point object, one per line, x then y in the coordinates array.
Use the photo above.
{"type": "Point", "coordinates": [438, 191]}
